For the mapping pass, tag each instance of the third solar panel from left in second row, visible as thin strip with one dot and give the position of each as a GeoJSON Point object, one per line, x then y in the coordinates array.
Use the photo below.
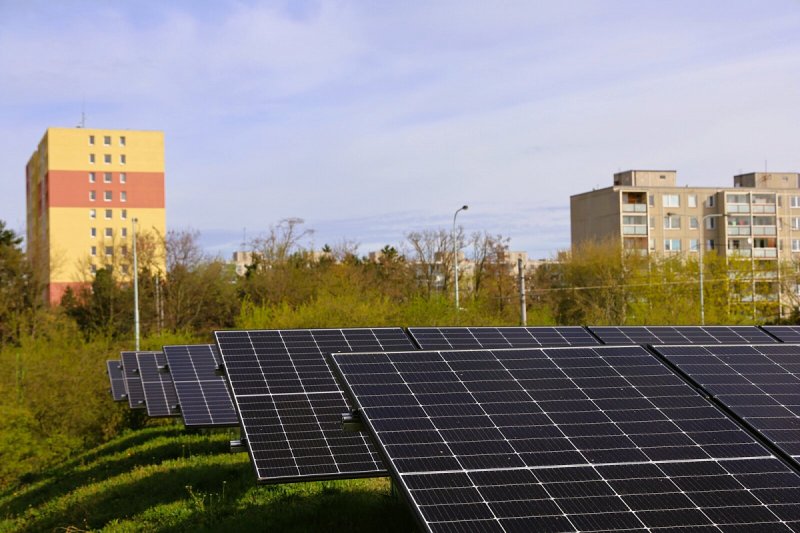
{"type": "Point", "coordinates": [681, 334]}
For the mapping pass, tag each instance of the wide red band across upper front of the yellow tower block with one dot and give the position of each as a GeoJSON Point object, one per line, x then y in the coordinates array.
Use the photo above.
{"type": "Point", "coordinates": [71, 189]}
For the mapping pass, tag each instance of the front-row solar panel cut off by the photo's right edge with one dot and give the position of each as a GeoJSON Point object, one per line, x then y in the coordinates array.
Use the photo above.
{"type": "Point", "coordinates": [758, 383]}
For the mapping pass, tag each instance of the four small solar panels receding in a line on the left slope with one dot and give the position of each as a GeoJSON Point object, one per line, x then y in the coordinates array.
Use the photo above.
{"type": "Point", "coordinates": [180, 381]}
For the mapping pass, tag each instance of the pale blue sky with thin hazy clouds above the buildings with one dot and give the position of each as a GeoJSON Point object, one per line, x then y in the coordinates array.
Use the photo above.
{"type": "Point", "coordinates": [372, 119]}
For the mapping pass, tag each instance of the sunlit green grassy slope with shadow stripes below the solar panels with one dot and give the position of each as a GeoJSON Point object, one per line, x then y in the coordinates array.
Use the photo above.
{"type": "Point", "coordinates": [166, 479]}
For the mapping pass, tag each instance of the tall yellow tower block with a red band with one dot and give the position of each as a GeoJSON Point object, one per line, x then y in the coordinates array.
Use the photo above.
{"type": "Point", "coordinates": [83, 188]}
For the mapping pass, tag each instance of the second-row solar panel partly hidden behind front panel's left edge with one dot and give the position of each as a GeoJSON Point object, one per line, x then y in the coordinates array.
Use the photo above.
{"type": "Point", "coordinates": [290, 406]}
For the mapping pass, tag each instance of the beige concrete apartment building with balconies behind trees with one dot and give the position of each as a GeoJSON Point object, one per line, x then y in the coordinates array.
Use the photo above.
{"type": "Point", "coordinates": [757, 218]}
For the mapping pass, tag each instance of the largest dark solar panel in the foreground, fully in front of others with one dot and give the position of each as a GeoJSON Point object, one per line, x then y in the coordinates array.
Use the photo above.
{"type": "Point", "coordinates": [600, 494]}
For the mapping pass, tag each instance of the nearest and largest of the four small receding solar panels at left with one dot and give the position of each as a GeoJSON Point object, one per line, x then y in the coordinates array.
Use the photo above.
{"type": "Point", "coordinates": [202, 394]}
